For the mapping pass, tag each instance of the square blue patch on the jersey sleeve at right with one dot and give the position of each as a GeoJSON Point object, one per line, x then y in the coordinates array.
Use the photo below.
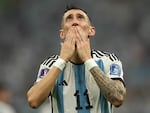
{"type": "Point", "coordinates": [115, 69]}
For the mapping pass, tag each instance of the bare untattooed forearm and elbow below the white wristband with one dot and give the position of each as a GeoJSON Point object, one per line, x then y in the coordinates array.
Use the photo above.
{"type": "Point", "coordinates": [40, 91]}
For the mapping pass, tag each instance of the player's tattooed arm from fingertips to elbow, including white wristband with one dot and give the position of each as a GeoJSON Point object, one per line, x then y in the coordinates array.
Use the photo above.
{"type": "Point", "coordinates": [113, 90]}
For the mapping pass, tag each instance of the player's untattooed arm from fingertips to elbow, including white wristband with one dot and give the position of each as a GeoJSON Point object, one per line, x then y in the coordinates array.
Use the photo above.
{"type": "Point", "coordinates": [38, 93]}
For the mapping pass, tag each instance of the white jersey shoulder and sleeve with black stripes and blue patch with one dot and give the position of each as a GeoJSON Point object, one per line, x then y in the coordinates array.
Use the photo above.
{"type": "Point", "coordinates": [111, 63]}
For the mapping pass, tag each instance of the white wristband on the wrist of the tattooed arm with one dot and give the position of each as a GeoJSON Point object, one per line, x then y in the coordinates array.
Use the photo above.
{"type": "Point", "coordinates": [90, 63]}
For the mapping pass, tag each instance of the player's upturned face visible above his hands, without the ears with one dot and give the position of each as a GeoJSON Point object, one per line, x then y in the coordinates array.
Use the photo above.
{"type": "Point", "coordinates": [76, 18]}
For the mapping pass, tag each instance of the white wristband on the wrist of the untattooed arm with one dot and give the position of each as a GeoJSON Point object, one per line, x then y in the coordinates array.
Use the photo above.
{"type": "Point", "coordinates": [60, 63]}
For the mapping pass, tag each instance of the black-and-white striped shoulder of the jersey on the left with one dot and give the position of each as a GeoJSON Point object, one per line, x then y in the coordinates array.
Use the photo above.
{"type": "Point", "coordinates": [50, 60]}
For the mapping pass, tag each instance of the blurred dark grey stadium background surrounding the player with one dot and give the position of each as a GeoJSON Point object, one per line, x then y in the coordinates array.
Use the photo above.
{"type": "Point", "coordinates": [29, 33]}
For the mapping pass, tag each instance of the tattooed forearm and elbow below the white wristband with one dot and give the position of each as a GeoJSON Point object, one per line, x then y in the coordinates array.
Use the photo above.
{"type": "Point", "coordinates": [113, 90]}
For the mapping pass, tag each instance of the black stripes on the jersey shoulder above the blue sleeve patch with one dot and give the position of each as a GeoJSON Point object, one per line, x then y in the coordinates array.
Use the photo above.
{"type": "Point", "coordinates": [97, 54]}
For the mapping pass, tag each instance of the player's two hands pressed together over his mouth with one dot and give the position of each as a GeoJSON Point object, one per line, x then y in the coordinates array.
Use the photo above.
{"type": "Point", "coordinates": [76, 42]}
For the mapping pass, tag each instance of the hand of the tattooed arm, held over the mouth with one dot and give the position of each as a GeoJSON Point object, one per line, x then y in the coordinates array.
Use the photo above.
{"type": "Point", "coordinates": [83, 44]}
